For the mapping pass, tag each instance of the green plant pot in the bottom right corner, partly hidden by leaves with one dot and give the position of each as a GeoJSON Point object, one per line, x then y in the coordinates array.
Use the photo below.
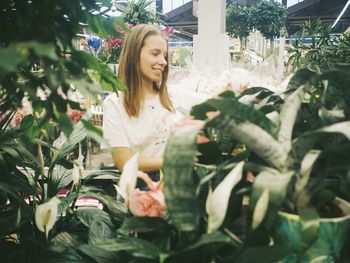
{"type": "Point", "coordinates": [332, 235]}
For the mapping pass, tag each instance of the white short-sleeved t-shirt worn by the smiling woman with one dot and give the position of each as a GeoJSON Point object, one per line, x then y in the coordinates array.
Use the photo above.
{"type": "Point", "coordinates": [146, 134]}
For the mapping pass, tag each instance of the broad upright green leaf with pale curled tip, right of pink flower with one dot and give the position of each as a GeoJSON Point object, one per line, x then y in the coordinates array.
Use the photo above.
{"type": "Point", "coordinates": [180, 188]}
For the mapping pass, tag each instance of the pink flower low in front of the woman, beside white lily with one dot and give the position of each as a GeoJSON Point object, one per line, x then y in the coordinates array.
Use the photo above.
{"type": "Point", "coordinates": [148, 203]}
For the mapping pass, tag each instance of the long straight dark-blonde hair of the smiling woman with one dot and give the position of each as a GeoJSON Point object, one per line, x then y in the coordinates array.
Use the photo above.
{"type": "Point", "coordinates": [129, 70]}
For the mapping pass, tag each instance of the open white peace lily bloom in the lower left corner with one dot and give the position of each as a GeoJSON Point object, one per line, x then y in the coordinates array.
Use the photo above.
{"type": "Point", "coordinates": [46, 215]}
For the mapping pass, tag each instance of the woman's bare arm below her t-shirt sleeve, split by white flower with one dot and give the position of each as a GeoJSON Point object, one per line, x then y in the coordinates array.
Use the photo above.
{"type": "Point", "coordinates": [121, 155]}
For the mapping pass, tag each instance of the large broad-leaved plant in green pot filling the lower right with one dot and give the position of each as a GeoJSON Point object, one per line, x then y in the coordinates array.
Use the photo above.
{"type": "Point", "coordinates": [285, 159]}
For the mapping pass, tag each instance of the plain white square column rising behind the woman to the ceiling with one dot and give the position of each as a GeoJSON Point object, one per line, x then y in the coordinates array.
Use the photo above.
{"type": "Point", "coordinates": [211, 45]}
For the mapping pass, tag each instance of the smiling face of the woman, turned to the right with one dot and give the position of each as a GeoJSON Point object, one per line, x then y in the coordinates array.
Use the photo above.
{"type": "Point", "coordinates": [153, 58]}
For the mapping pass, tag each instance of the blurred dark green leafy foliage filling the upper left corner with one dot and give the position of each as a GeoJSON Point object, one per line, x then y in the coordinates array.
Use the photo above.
{"type": "Point", "coordinates": [49, 41]}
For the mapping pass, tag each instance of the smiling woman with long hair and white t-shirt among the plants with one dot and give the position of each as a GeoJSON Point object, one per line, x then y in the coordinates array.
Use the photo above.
{"type": "Point", "coordinates": [139, 120]}
